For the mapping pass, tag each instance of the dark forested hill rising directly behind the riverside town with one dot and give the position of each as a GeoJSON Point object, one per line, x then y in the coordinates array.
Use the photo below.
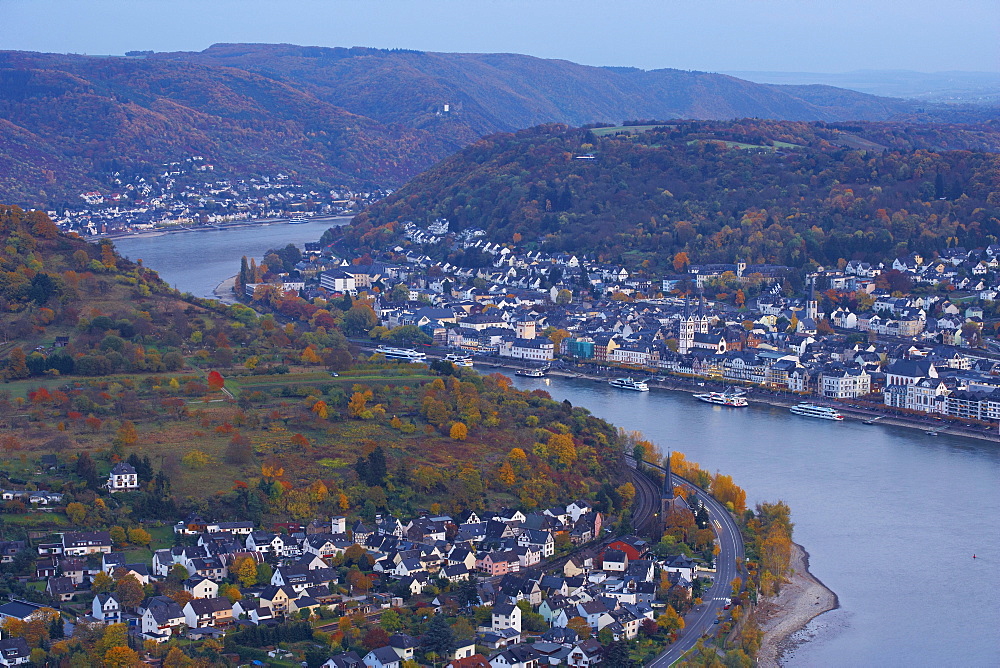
{"type": "Point", "coordinates": [764, 191]}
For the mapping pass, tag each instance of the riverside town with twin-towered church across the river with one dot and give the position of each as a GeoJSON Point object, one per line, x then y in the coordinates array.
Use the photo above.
{"type": "Point", "coordinates": [909, 338]}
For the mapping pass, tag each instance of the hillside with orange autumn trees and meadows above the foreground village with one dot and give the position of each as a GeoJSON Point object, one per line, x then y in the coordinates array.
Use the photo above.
{"type": "Point", "coordinates": [241, 415]}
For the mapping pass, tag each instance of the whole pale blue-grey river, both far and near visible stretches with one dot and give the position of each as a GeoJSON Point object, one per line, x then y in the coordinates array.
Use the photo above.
{"type": "Point", "coordinates": [890, 516]}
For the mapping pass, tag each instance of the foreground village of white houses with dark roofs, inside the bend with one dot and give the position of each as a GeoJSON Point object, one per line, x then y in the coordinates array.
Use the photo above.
{"type": "Point", "coordinates": [543, 588]}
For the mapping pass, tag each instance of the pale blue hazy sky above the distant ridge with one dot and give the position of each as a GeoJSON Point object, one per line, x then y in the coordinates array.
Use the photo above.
{"type": "Point", "coordinates": [713, 35]}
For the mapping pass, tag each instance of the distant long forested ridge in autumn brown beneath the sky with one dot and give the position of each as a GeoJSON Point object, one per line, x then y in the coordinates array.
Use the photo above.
{"type": "Point", "coordinates": [361, 117]}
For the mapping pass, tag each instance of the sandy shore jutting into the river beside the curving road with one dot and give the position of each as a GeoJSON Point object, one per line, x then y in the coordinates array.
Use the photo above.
{"type": "Point", "coordinates": [802, 599]}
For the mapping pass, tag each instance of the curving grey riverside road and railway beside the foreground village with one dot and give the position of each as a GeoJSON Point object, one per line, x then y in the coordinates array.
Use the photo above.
{"type": "Point", "coordinates": [729, 564]}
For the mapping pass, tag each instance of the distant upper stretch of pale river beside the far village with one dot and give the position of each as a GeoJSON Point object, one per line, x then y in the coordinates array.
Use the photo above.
{"type": "Point", "coordinates": [197, 262]}
